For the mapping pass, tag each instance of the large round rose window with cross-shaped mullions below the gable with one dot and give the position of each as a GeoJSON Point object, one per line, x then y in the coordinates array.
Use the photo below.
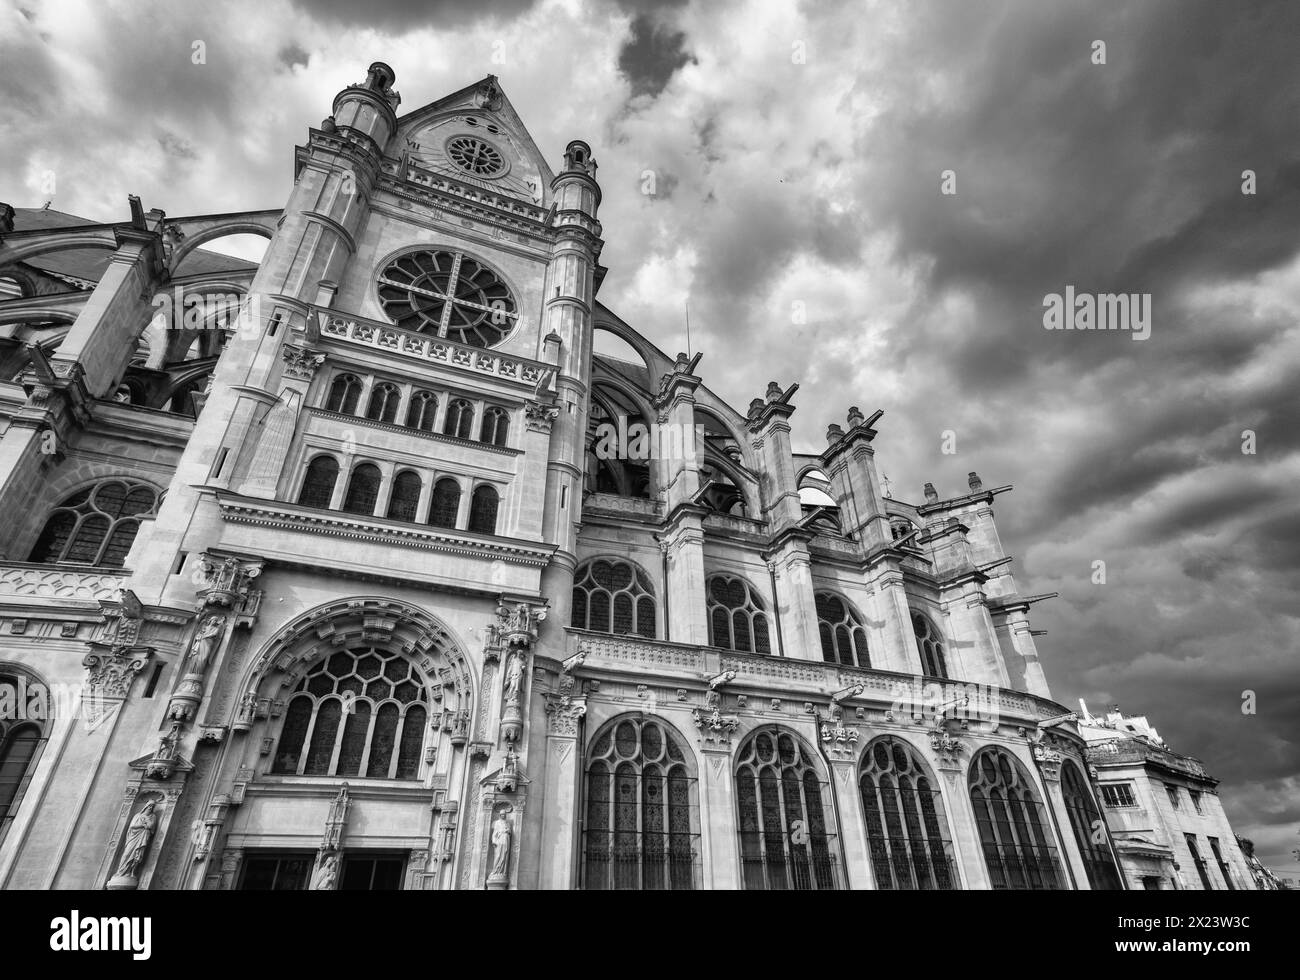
{"type": "Point", "coordinates": [450, 296]}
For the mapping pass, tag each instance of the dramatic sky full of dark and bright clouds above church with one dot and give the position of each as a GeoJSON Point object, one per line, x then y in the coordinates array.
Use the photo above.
{"type": "Point", "coordinates": [798, 154]}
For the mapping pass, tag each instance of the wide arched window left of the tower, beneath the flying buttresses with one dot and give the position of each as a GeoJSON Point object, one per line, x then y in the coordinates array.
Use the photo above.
{"type": "Point", "coordinates": [97, 526]}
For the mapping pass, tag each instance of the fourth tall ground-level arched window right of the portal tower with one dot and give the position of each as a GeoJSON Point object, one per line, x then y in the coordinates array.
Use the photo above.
{"type": "Point", "coordinates": [1013, 827]}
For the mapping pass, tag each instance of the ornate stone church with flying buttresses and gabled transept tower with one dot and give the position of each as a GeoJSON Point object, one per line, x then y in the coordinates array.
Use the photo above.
{"type": "Point", "coordinates": [382, 576]}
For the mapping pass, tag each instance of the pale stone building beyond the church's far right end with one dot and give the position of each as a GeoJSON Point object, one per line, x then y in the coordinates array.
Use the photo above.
{"type": "Point", "coordinates": [1165, 817]}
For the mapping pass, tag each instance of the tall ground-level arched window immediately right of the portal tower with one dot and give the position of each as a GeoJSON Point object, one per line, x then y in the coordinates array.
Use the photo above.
{"type": "Point", "coordinates": [643, 827]}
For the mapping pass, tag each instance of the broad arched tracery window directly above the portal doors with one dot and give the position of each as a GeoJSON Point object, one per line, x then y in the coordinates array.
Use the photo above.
{"type": "Point", "coordinates": [358, 713]}
